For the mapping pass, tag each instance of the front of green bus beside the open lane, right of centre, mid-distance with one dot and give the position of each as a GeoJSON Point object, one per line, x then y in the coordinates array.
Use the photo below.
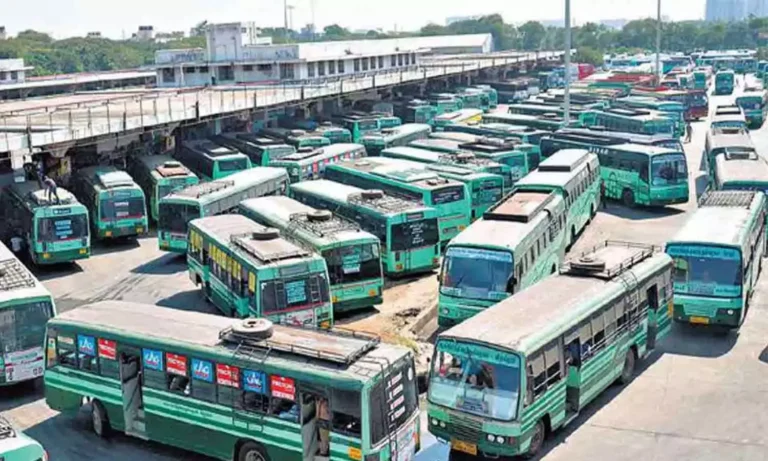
{"type": "Point", "coordinates": [669, 179]}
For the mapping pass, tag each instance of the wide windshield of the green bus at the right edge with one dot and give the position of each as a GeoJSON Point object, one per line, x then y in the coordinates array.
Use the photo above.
{"type": "Point", "coordinates": [707, 271]}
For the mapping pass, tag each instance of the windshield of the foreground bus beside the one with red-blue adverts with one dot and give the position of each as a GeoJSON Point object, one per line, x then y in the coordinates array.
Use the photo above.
{"type": "Point", "coordinates": [476, 379]}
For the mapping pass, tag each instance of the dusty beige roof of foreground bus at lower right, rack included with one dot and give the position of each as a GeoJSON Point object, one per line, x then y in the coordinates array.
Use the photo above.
{"type": "Point", "coordinates": [535, 316]}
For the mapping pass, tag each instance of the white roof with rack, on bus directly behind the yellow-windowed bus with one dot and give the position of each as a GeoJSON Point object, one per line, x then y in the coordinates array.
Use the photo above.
{"type": "Point", "coordinates": [297, 220]}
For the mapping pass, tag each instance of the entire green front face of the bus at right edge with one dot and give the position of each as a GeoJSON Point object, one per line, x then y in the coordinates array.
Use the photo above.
{"type": "Point", "coordinates": [707, 283]}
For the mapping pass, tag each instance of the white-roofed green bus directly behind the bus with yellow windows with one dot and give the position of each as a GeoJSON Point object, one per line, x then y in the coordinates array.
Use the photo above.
{"type": "Point", "coordinates": [353, 256]}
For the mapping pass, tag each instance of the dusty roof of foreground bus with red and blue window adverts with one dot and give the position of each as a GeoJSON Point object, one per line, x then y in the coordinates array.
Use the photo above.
{"type": "Point", "coordinates": [330, 356]}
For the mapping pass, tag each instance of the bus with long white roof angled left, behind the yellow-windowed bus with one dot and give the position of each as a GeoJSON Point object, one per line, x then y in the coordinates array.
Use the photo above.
{"type": "Point", "coordinates": [213, 198]}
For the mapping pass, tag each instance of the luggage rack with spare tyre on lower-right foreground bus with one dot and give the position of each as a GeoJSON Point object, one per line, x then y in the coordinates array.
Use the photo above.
{"type": "Point", "coordinates": [598, 262]}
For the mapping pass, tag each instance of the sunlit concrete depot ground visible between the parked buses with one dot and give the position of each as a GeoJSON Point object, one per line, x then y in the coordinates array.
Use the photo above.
{"type": "Point", "coordinates": [701, 396]}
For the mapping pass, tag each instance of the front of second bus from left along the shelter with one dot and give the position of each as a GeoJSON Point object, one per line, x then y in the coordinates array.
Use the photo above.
{"type": "Point", "coordinates": [122, 213]}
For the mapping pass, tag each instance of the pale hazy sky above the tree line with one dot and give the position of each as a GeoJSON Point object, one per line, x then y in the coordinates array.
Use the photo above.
{"type": "Point", "coordinates": [113, 18]}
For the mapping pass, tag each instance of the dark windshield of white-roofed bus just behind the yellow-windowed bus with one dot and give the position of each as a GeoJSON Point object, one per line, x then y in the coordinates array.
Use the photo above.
{"type": "Point", "coordinates": [353, 263]}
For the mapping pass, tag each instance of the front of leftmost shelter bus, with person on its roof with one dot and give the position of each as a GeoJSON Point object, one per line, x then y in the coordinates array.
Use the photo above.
{"type": "Point", "coordinates": [61, 233]}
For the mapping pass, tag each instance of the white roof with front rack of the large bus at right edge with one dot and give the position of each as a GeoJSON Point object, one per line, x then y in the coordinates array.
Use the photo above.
{"type": "Point", "coordinates": [723, 218]}
